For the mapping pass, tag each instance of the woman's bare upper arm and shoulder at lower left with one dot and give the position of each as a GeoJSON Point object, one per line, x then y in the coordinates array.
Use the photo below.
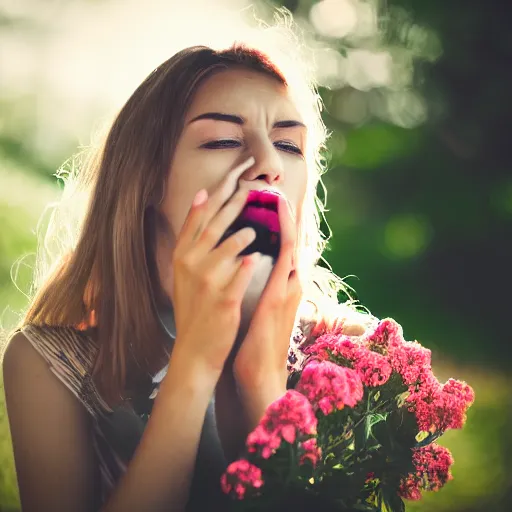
{"type": "Point", "coordinates": [50, 430]}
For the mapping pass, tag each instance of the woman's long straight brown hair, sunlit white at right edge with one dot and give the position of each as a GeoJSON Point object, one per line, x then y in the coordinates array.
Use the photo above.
{"type": "Point", "coordinates": [111, 269]}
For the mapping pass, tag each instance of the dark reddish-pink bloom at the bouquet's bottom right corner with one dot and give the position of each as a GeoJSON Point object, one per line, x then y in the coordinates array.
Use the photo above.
{"type": "Point", "coordinates": [432, 465]}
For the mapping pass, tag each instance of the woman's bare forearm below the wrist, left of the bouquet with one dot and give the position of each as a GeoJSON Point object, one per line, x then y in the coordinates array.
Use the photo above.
{"type": "Point", "coordinates": [159, 475]}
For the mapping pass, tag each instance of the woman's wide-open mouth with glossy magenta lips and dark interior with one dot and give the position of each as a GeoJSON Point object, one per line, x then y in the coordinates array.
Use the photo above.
{"type": "Point", "coordinates": [261, 214]}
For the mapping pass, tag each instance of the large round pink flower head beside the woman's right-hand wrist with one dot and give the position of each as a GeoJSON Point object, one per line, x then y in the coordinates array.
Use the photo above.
{"type": "Point", "coordinates": [329, 386]}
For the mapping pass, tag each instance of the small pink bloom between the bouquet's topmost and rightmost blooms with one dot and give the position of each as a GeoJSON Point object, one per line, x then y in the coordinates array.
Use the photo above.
{"type": "Point", "coordinates": [411, 361]}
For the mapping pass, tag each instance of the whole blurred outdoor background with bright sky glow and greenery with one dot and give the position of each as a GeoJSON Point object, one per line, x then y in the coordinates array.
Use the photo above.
{"type": "Point", "coordinates": [417, 96]}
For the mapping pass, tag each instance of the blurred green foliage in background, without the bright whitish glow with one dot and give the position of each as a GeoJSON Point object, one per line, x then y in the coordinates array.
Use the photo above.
{"type": "Point", "coordinates": [421, 216]}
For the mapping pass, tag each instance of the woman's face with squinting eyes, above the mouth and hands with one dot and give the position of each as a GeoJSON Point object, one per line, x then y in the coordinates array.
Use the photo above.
{"type": "Point", "coordinates": [236, 114]}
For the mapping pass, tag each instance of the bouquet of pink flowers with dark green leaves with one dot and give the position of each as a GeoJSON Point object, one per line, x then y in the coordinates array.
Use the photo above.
{"type": "Point", "coordinates": [355, 431]}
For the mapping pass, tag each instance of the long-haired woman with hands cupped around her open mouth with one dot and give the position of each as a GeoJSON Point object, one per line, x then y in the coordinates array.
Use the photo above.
{"type": "Point", "coordinates": [160, 279]}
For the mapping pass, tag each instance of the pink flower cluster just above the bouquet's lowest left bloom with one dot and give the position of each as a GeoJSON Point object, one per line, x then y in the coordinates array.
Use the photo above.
{"type": "Point", "coordinates": [287, 418]}
